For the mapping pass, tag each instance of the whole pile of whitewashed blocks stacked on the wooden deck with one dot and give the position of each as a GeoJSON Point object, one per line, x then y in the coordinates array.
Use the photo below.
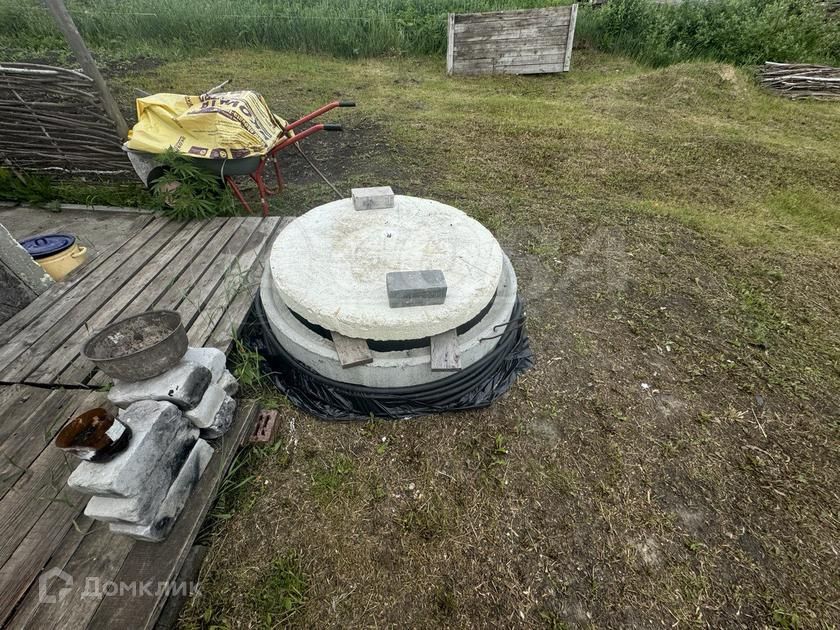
{"type": "Point", "coordinates": [142, 490]}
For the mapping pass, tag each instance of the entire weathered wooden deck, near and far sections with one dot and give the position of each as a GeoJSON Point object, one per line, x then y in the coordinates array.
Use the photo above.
{"type": "Point", "coordinates": [209, 272]}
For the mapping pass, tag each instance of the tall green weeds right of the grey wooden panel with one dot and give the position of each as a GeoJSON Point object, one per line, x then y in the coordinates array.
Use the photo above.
{"type": "Point", "coordinates": [744, 32]}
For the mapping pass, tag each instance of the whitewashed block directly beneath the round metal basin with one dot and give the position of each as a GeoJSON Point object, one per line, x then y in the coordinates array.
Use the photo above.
{"type": "Point", "coordinates": [183, 385]}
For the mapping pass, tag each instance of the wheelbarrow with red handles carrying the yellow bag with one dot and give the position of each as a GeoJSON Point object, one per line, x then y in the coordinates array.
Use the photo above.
{"type": "Point", "coordinates": [227, 169]}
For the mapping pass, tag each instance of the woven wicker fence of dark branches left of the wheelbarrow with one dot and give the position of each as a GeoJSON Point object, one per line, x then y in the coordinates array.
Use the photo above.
{"type": "Point", "coordinates": [51, 119]}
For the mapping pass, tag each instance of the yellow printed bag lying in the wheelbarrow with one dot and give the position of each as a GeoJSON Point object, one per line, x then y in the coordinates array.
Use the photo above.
{"type": "Point", "coordinates": [213, 126]}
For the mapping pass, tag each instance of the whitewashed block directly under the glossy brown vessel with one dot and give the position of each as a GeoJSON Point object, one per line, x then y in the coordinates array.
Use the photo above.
{"type": "Point", "coordinates": [154, 426]}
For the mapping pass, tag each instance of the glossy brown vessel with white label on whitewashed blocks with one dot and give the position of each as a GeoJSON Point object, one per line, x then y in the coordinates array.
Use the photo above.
{"type": "Point", "coordinates": [94, 436]}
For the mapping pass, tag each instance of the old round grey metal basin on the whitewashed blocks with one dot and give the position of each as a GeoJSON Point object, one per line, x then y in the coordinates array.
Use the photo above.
{"type": "Point", "coordinates": [138, 347]}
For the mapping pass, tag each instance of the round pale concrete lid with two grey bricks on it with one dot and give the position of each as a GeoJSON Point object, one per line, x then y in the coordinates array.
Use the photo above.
{"type": "Point", "coordinates": [329, 266]}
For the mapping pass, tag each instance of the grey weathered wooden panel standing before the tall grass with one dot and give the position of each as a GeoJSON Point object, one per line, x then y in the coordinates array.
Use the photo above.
{"type": "Point", "coordinates": [530, 41]}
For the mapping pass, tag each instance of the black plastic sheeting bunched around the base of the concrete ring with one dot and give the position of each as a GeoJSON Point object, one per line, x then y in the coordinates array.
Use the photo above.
{"type": "Point", "coordinates": [471, 388]}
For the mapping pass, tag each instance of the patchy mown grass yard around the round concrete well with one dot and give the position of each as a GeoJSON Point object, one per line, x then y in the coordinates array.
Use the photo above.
{"type": "Point", "coordinates": [672, 458]}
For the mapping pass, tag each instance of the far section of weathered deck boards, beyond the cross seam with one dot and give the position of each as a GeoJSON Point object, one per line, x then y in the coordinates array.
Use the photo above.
{"type": "Point", "coordinates": [195, 268]}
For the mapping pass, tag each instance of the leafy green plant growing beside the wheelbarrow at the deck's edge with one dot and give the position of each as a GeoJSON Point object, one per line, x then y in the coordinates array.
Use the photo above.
{"type": "Point", "coordinates": [186, 191]}
